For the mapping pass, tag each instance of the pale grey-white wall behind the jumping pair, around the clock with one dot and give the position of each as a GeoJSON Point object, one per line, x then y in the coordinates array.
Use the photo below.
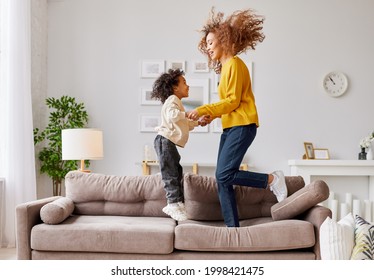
{"type": "Point", "coordinates": [95, 48]}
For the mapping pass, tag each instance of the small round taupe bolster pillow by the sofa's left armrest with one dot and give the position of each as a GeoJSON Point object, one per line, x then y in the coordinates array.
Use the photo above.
{"type": "Point", "coordinates": [57, 211]}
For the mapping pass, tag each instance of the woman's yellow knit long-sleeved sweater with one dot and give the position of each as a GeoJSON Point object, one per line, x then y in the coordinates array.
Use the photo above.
{"type": "Point", "coordinates": [237, 102]}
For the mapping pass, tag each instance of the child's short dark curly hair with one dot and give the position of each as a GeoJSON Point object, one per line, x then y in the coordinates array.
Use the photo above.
{"type": "Point", "coordinates": [163, 86]}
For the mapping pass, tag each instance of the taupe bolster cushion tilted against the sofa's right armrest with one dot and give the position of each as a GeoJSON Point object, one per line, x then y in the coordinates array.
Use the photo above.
{"type": "Point", "coordinates": [300, 201]}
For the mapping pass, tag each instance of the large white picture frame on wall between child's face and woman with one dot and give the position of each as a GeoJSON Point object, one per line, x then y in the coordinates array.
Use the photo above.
{"type": "Point", "coordinates": [198, 95]}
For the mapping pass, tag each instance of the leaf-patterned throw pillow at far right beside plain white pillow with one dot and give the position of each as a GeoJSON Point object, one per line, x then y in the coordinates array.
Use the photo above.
{"type": "Point", "coordinates": [364, 239]}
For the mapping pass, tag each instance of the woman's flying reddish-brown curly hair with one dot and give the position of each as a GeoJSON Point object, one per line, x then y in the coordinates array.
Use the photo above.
{"type": "Point", "coordinates": [238, 33]}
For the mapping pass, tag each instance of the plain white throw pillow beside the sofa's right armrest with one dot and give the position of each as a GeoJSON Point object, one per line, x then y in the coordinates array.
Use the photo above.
{"type": "Point", "coordinates": [337, 238]}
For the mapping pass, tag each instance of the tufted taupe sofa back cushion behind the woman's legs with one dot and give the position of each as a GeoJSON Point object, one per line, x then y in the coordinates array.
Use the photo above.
{"type": "Point", "coordinates": [202, 203]}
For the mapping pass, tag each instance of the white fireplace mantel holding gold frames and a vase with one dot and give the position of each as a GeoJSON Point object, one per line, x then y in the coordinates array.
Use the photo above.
{"type": "Point", "coordinates": [309, 168]}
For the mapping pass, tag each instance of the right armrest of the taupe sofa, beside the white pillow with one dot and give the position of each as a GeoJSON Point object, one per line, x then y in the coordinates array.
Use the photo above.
{"type": "Point", "coordinates": [316, 216]}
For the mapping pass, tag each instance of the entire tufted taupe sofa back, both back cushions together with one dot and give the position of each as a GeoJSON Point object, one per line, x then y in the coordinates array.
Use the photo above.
{"type": "Point", "coordinates": [98, 194]}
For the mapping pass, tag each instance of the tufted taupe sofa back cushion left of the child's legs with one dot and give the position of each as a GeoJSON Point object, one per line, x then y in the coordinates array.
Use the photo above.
{"type": "Point", "coordinates": [98, 194]}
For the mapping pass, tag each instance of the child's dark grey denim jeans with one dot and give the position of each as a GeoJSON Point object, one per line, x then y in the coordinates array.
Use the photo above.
{"type": "Point", "coordinates": [171, 170]}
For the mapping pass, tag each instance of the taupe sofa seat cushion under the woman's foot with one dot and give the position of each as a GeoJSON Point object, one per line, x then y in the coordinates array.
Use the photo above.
{"type": "Point", "coordinates": [259, 234]}
